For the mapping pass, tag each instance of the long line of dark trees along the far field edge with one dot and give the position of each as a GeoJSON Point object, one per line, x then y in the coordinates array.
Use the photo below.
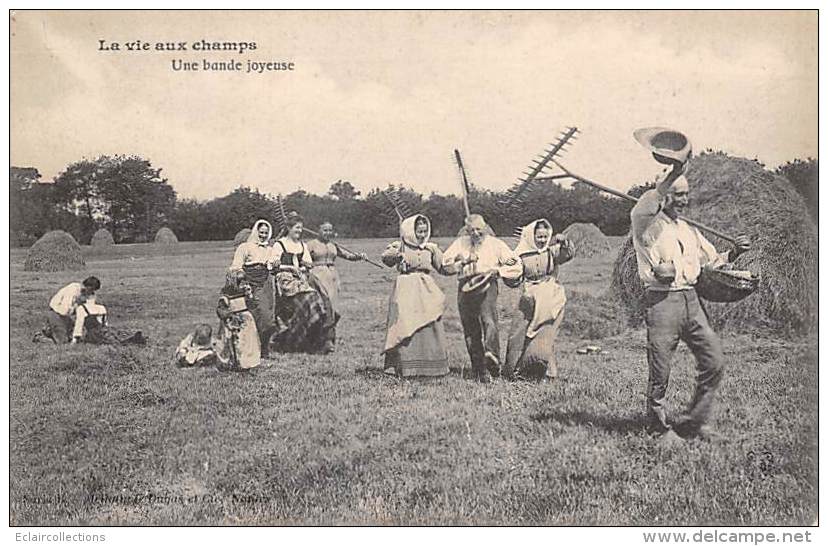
{"type": "Point", "coordinates": [129, 197]}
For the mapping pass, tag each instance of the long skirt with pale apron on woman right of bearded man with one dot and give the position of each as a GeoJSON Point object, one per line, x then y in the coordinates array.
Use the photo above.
{"type": "Point", "coordinates": [531, 358]}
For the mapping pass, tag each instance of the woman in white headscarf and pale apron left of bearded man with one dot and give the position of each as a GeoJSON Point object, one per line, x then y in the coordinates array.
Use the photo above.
{"type": "Point", "coordinates": [415, 340]}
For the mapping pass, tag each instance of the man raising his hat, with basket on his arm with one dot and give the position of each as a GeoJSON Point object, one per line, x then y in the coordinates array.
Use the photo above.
{"type": "Point", "coordinates": [671, 254]}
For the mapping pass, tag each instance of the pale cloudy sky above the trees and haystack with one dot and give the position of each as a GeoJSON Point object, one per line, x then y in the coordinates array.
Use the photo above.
{"type": "Point", "coordinates": [385, 97]}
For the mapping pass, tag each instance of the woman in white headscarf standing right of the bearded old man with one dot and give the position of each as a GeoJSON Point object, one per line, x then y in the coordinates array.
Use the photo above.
{"type": "Point", "coordinates": [531, 349]}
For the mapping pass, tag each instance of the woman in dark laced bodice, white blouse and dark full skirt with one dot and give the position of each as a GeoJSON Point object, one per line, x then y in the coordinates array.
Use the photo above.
{"type": "Point", "coordinates": [306, 318]}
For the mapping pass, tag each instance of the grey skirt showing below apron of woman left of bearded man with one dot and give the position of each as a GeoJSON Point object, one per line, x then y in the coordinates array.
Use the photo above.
{"type": "Point", "coordinates": [423, 354]}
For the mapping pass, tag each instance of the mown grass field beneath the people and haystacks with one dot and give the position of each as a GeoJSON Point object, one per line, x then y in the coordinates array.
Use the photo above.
{"type": "Point", "coordinates": [114, 436]}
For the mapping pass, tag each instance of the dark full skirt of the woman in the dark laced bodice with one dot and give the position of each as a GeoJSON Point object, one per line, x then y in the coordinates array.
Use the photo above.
{"type": "Point", "coordinates": [308, 324]}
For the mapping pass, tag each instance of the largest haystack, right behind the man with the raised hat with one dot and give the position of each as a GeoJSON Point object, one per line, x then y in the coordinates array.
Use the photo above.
{"type": "Point", "coordinates": [738, 195]}
